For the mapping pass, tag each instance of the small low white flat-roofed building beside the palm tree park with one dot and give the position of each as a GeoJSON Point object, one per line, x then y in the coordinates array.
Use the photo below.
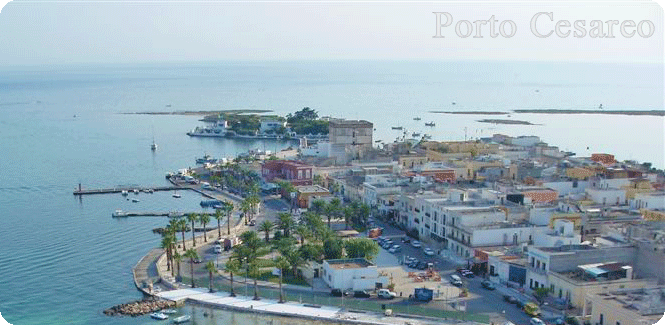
{"type": "Point", "coordinates": [355, 274]}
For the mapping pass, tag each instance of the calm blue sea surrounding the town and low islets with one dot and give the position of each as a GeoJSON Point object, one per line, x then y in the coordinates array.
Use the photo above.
{"type": "Point", "coordinates": [63, 259]}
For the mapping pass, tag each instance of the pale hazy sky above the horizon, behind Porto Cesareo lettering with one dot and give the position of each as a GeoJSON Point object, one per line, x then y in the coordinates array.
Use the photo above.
{"type": "Point", "coordinates": [47, 32]}
